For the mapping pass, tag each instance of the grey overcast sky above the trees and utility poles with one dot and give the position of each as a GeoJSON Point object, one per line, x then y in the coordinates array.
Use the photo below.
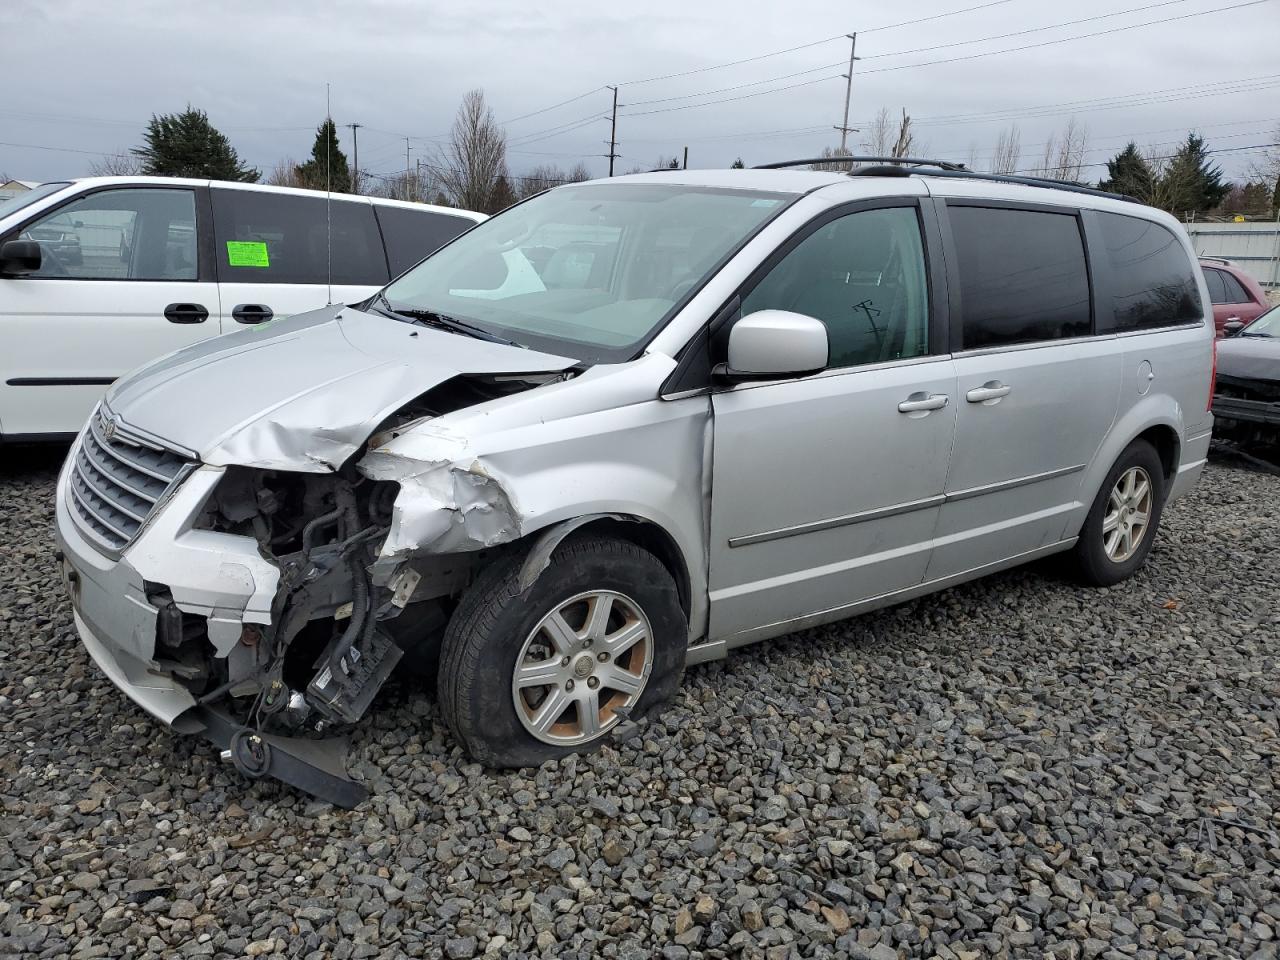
{"type": "Point", "coordinates": [84, 77]}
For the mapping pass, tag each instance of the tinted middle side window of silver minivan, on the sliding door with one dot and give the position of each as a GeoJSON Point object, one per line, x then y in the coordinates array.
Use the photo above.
{"type": "Point", "coordinates": [1022, 276]}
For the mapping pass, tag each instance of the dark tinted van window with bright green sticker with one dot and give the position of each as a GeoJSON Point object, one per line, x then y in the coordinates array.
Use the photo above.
{"type": "Point", "coordinates": [281, 239]}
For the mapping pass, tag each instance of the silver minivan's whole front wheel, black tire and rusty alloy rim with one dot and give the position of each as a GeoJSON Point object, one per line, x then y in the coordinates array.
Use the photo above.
{"type": "Point", "coordinates": [600, 638]}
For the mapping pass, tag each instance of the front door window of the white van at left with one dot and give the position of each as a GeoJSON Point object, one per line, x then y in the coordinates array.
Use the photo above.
{"type": "Point", "coordinates": [120, 235]}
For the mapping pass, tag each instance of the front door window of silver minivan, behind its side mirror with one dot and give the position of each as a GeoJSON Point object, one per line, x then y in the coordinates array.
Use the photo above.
{"type": "Point", "coordinates": [863, 276]}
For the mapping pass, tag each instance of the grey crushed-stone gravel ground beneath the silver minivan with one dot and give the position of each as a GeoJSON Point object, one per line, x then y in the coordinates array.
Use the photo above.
{"type": "Point", "coordinates": [1013, 769]}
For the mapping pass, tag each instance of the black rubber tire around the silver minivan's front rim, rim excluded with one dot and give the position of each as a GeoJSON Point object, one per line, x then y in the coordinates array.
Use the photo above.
{"type": "Point", "coordinates": [488, 630]}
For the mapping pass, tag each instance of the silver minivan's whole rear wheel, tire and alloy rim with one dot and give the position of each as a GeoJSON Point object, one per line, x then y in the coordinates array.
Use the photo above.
{"type": "Point", "coordinates": [1122, 525]}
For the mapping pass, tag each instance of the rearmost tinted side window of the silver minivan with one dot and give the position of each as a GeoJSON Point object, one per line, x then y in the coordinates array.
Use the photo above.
{"type": "Point", "coordinates": [1153, 280]}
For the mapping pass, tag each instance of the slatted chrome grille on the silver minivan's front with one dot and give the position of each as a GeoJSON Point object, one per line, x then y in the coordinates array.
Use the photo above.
{"type": "Point", "coordinates": [117, 479]}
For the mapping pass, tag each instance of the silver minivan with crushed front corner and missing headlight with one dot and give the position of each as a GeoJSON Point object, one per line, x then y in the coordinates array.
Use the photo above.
{"type": "Point", "coordinates": [623, 428]}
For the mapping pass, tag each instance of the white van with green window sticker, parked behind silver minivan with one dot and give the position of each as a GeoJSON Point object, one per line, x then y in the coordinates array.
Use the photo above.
{"type": "Point", "coordinates": [100, 276]}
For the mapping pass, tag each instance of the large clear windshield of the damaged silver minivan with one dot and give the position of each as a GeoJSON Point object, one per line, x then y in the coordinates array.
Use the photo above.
{"type": "Point", "coordinates": [588, 272]}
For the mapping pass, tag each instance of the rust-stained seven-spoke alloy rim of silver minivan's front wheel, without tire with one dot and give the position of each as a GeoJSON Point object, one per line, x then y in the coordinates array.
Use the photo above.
{"type": "Point", "coordinates": [586, 661]}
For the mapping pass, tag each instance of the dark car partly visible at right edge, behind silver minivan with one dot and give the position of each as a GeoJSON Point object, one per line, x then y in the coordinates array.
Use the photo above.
{"type": "Point", "coordinates": [1247, 397]}
